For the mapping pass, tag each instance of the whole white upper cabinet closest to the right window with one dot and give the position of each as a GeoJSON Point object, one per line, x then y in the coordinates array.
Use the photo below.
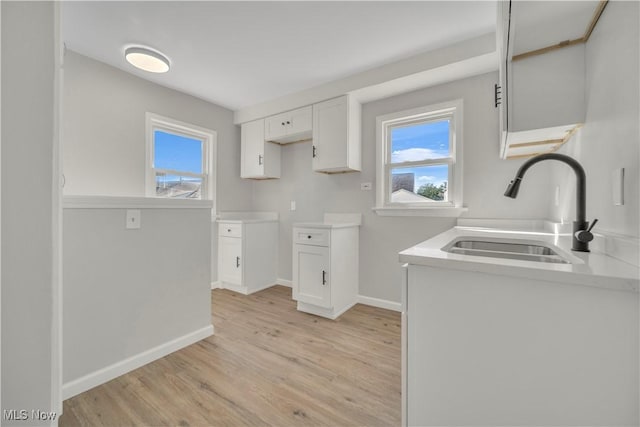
{"type": "Point", "coordinates": [336, 136]}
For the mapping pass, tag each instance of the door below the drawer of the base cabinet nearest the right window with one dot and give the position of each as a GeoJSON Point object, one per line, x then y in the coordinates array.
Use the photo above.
{"type": "Point", "coordinates": [312, 275]}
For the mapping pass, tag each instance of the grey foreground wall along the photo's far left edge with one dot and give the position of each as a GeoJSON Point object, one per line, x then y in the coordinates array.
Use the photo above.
{"type": "Point", "coordinates": [27, 161]}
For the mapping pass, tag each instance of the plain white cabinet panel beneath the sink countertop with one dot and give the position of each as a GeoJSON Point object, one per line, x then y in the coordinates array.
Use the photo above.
{"type": "Point", "coordinates": [493, 349]}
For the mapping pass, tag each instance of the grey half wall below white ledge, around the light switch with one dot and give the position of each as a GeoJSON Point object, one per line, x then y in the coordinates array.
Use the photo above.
{"type": "Point", "coordinates": [128, 291]}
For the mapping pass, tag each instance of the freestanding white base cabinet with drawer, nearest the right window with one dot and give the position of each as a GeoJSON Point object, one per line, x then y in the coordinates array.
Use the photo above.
{"type": "Point", "coordinates": [325, 268]}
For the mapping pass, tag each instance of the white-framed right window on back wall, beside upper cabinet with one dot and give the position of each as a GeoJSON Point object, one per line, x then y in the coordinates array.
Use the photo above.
{"type": "Point", "coordinates": [420, 158]}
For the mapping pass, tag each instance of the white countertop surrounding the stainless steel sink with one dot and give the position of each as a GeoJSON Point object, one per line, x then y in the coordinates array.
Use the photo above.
{"type": "Point", "coordinates": [587, 268]}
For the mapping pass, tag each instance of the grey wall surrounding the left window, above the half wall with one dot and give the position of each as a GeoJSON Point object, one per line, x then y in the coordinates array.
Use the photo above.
{"type": "Point", "coordinates": [104, 134]}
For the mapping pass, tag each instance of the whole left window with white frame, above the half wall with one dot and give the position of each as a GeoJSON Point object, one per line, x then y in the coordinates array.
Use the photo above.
{"type": "Point", "coordinates": [180, 159]}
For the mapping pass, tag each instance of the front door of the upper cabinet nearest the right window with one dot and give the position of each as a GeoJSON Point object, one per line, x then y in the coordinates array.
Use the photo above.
{"type": "Point", "coordinates": [330, 135]}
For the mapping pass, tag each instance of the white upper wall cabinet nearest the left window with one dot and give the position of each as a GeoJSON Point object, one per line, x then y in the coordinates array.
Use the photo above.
{"type": "Point", "coordinates": [259, 159]}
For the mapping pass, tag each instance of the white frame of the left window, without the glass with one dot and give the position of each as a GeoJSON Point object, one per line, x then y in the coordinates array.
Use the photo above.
{"type": "Point", "coordinates": [155, 122]}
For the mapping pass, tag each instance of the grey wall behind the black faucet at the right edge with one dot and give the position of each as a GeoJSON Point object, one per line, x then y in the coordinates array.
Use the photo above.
{"type": "Point", "coordinates": [610, 137]}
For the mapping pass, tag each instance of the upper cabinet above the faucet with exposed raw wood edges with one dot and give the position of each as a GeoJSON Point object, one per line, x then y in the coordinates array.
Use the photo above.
{"type": "Point", "coordinates": [542, 73]}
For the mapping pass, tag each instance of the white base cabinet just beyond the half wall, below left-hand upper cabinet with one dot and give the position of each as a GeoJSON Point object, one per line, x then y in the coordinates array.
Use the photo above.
{"type": "Point", "coordinates": [247, 255]}
